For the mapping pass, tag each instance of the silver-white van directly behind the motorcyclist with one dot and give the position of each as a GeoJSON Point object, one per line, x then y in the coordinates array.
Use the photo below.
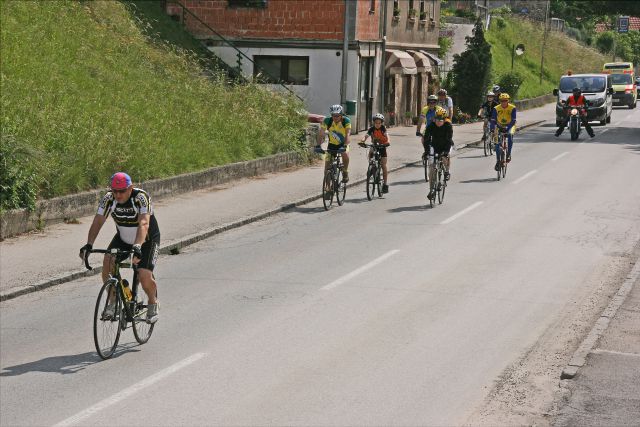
{"type": "Point", "coordinates": [597, 90]}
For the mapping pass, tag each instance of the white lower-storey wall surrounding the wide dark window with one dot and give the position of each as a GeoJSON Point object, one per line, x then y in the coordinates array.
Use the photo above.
{"type": "Point", "coordinates": [325, 69]}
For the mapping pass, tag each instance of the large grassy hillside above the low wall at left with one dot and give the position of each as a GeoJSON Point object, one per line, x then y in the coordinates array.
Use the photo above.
{"type": "Point", "coordinates": [88, 88]}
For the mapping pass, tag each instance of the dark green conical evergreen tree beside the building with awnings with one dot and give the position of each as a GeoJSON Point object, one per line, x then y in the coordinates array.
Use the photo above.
{"type": "Point", "coordinates": [471, 71]}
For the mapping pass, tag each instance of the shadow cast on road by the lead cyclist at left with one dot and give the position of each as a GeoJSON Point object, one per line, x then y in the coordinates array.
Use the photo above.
{"type": "Point", "coordinates": [69, 364]}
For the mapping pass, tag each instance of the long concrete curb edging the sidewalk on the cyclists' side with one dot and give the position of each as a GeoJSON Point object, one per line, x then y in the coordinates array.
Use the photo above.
{"type": "Point", "coordinates": [174, 247]}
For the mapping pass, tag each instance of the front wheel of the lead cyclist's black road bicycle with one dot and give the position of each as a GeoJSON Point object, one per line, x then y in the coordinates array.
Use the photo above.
{"type": "Point", "coordinates": [107, 319]}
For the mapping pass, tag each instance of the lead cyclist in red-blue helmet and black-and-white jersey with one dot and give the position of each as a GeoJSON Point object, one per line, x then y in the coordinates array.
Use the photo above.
{"type": "Point", "coordinates": [137, 230]}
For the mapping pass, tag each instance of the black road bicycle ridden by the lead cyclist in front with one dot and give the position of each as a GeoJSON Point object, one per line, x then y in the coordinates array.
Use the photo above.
{"type": "Point", "coordinates": [118, 306]}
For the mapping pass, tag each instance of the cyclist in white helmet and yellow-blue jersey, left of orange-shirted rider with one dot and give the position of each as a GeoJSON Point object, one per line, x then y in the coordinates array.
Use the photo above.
{"type": "Point", "coordinates": [338, 127]}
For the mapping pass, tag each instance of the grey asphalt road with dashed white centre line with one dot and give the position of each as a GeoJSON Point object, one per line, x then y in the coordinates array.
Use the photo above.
{"type": "Point", "coordinates": [374, 313]}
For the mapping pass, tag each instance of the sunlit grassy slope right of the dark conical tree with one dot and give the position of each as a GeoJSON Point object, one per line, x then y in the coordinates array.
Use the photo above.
{"type": "Point", "coordinates": [561, 54]}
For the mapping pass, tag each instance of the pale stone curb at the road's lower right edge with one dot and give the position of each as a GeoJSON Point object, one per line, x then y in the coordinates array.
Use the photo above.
{"type": "Point", "coordinates": [579, 358]}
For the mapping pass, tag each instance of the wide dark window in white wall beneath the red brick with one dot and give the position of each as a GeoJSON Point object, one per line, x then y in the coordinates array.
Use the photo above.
{"type": "Point", "coordinates": [292, 70]}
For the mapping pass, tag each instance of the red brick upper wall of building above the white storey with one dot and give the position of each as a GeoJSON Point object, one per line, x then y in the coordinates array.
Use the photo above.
{"type": "Point", "coordinates": [281, 19]}
